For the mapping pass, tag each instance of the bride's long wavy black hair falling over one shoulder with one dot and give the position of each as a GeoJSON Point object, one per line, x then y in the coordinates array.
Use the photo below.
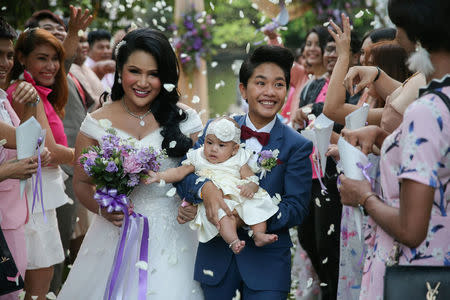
{"type": "Point", "coordinates": [164, 106]}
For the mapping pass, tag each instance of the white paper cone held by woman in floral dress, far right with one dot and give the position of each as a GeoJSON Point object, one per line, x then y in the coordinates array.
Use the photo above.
{"type": "Point", "coordinates": [350, 156]}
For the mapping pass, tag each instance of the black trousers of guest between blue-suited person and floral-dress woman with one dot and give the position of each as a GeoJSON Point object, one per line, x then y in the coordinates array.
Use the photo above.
{"type": "Point", "coordinates": [322, 248]}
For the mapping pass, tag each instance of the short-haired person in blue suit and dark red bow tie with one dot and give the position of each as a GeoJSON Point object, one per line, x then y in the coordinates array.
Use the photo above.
{"type": "Point", "coordinates": [258, 273]}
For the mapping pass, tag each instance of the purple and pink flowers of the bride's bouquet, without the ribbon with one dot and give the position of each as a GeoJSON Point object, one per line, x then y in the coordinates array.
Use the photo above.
{"type": "Point", "coordinates": [118, 164]}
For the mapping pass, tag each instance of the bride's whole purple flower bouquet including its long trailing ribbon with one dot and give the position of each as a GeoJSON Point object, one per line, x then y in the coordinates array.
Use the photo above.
{"type": "Point", "coordinates": [116, 167]}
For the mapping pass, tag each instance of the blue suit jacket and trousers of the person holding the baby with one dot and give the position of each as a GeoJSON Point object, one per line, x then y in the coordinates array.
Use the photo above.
{"type": "Point", "coordinates": [268, 267]}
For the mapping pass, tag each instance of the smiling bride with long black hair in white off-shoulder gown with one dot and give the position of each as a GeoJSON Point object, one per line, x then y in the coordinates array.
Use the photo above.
{"type": "Point", "coordinates": [144, 109]}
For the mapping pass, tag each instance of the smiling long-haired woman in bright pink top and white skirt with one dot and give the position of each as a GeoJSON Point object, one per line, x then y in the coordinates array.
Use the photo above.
{"type": "Point", "coordinates": [42, 55]}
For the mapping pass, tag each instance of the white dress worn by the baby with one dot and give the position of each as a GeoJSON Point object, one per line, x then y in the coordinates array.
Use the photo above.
{"type": "Point", "coordinates": [226, 176]}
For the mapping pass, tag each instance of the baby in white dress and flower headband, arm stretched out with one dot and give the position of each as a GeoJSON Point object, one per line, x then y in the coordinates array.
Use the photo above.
{"type": "Point", "coordinates": [225, 162]}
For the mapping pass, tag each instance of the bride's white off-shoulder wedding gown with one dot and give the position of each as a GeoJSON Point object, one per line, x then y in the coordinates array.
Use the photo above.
{"type": "Point", "coordinates": [172, 247]}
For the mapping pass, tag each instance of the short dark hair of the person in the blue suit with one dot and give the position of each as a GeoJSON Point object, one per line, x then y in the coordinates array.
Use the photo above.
{"type": "Point", "coordinates": [280, 56]}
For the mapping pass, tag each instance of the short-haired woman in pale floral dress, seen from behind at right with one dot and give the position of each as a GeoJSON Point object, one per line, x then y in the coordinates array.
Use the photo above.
{"type": "Point", "coordinates": [415, 165]}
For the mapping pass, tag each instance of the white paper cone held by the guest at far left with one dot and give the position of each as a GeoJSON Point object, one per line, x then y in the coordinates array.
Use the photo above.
{"type": "Point", "coordinates": [27, 135]}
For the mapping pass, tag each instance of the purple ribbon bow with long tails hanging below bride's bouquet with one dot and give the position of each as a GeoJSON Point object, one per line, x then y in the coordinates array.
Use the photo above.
{"type": "Point", "coordinates": [112, 201]}
